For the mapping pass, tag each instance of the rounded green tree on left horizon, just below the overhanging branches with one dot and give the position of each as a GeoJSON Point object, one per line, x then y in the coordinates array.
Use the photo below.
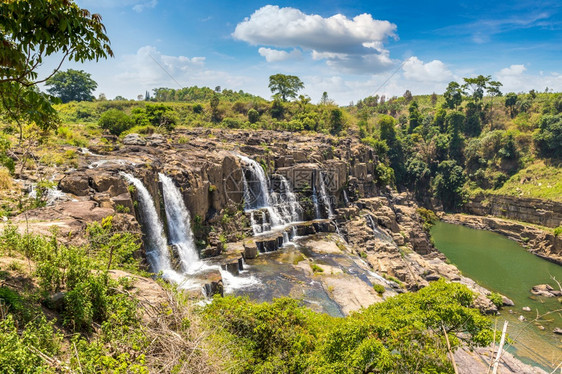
{"type": "Point", "coordinates": [72, 85]}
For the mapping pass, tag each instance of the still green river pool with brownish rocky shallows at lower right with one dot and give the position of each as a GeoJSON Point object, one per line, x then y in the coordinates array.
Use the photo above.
{"type": "Point", "coordinates": [503, 266]}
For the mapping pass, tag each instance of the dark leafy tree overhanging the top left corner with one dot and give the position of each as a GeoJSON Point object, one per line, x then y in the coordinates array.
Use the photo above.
{"type": "Point", "coordinates": [32, 30]}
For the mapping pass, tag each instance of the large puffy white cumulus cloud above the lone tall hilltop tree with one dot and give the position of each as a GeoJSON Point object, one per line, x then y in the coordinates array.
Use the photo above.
{"type": "Point", "coordinates": [356, 44]}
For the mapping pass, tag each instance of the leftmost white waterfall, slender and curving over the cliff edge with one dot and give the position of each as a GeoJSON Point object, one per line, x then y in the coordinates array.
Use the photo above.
{"type": "Point", "coordinates": [157, 248]}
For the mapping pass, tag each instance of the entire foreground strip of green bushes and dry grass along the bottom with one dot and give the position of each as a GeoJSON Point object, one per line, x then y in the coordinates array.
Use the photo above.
{"type": "Point", "coordinates": [64, 308]}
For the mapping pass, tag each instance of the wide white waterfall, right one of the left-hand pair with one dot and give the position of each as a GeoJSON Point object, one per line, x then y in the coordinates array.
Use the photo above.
{"type": "Point", "coordinates": [179, 224]}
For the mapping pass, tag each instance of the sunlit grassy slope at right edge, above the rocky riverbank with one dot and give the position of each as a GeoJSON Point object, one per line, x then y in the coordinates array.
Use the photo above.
{"type": "Point", "coordinates": [538, 180]}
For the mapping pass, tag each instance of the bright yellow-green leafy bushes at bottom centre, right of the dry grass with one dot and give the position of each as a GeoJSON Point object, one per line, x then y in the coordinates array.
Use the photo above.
{"type": "Point", "coordinates": [401, 335]}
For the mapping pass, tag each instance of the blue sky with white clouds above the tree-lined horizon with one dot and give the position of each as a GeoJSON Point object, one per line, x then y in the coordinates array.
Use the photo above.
{"type": "Point", "coordinates": [347, 48]}
